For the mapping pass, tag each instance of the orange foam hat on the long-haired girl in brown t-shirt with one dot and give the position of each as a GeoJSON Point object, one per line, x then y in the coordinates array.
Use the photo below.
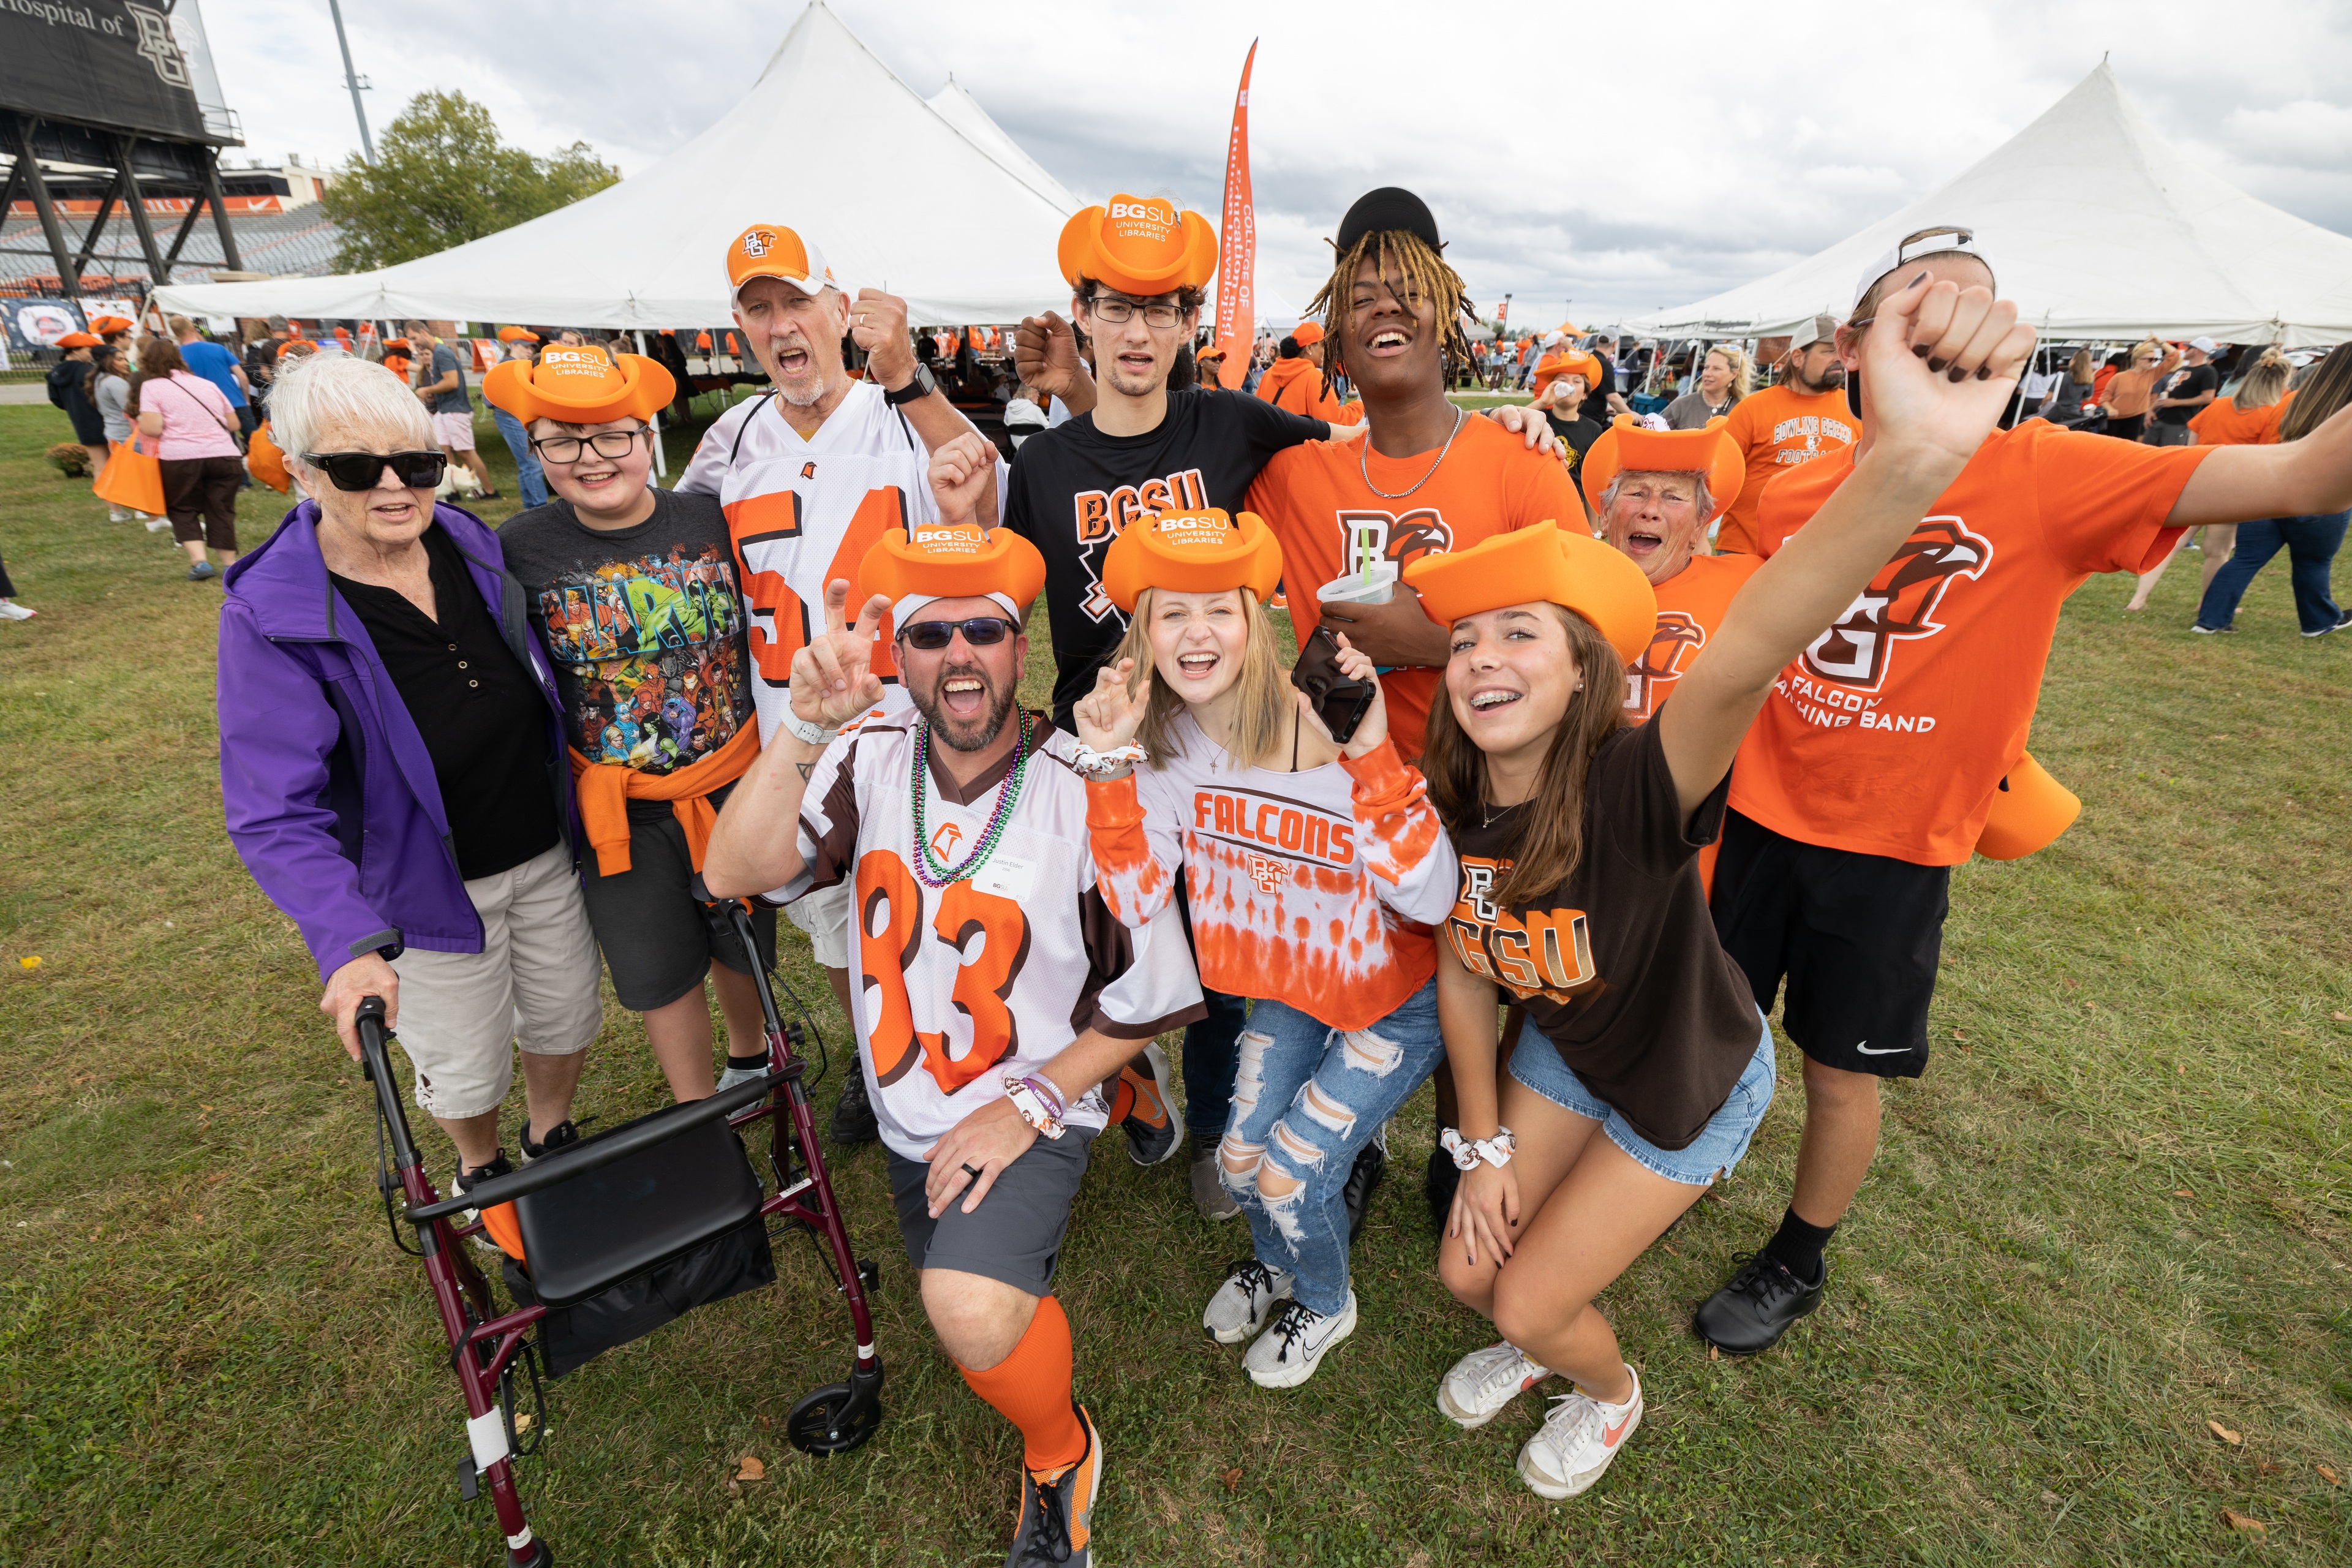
{"type": "Point", "coordinates": [1542, 563]}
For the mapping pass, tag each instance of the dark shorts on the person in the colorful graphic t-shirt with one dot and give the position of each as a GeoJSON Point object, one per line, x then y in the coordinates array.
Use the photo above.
{"type": "Point", "coordinates": [657, 939]}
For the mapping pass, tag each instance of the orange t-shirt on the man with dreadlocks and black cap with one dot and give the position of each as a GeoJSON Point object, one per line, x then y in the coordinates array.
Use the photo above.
{"type": "Point", "coordinates": [1314, 497]}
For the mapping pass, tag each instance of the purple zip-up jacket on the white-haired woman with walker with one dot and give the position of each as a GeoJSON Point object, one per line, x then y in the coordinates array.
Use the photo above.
{"type": "Point", "coordinates": [330, 793]}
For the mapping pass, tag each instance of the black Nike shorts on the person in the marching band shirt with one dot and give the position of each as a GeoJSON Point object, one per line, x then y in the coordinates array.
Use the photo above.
{"type": "Point", "coordinates": [1855, 934]}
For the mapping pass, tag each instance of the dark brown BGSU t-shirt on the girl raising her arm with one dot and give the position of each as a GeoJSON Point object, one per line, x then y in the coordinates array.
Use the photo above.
{"type": "Point", "coordinates": [1619, 967]}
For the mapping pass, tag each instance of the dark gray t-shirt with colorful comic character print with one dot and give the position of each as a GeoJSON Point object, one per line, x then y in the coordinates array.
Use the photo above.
{"type": "Point", "coordinates": [646, 629]}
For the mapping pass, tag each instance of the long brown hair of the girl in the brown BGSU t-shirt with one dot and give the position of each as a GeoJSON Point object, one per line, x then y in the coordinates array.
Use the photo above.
{"type": "Point", "coordinates": [1551, 838]}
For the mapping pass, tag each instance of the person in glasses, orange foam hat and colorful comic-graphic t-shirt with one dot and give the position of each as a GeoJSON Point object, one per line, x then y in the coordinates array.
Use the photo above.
{"type": "Point", "coordinates": [636, 596]}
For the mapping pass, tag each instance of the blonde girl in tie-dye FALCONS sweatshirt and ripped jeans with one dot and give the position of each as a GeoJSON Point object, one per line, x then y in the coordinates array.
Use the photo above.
{"type": "Point", "coordinates": [1314, 869]}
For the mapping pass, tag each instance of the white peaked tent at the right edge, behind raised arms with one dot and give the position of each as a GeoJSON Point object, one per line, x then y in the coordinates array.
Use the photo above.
{"type": "Point", "coordinates": [2099, 229]}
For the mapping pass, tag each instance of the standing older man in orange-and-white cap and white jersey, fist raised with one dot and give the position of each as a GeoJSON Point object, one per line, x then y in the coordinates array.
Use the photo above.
{"type": "Point", "coordinates": [810, 476]}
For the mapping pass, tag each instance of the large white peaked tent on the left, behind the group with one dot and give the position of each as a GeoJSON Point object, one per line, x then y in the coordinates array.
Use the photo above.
{"type": "Point", "coordinates": [928, 201]}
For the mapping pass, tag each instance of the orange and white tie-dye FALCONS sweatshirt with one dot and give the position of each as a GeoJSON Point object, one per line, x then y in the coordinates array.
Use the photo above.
{"type": "Point", "coordinates": [1316, 890]}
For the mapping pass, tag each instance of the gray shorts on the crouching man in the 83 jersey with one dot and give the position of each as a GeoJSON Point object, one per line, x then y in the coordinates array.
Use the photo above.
{"type": "Point", "coordinates": [1015, 1235]}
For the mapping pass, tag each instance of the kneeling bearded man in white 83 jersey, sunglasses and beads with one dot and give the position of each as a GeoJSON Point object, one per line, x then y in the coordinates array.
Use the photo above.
{"type": "Point", "coordinates": [994, 991]}
